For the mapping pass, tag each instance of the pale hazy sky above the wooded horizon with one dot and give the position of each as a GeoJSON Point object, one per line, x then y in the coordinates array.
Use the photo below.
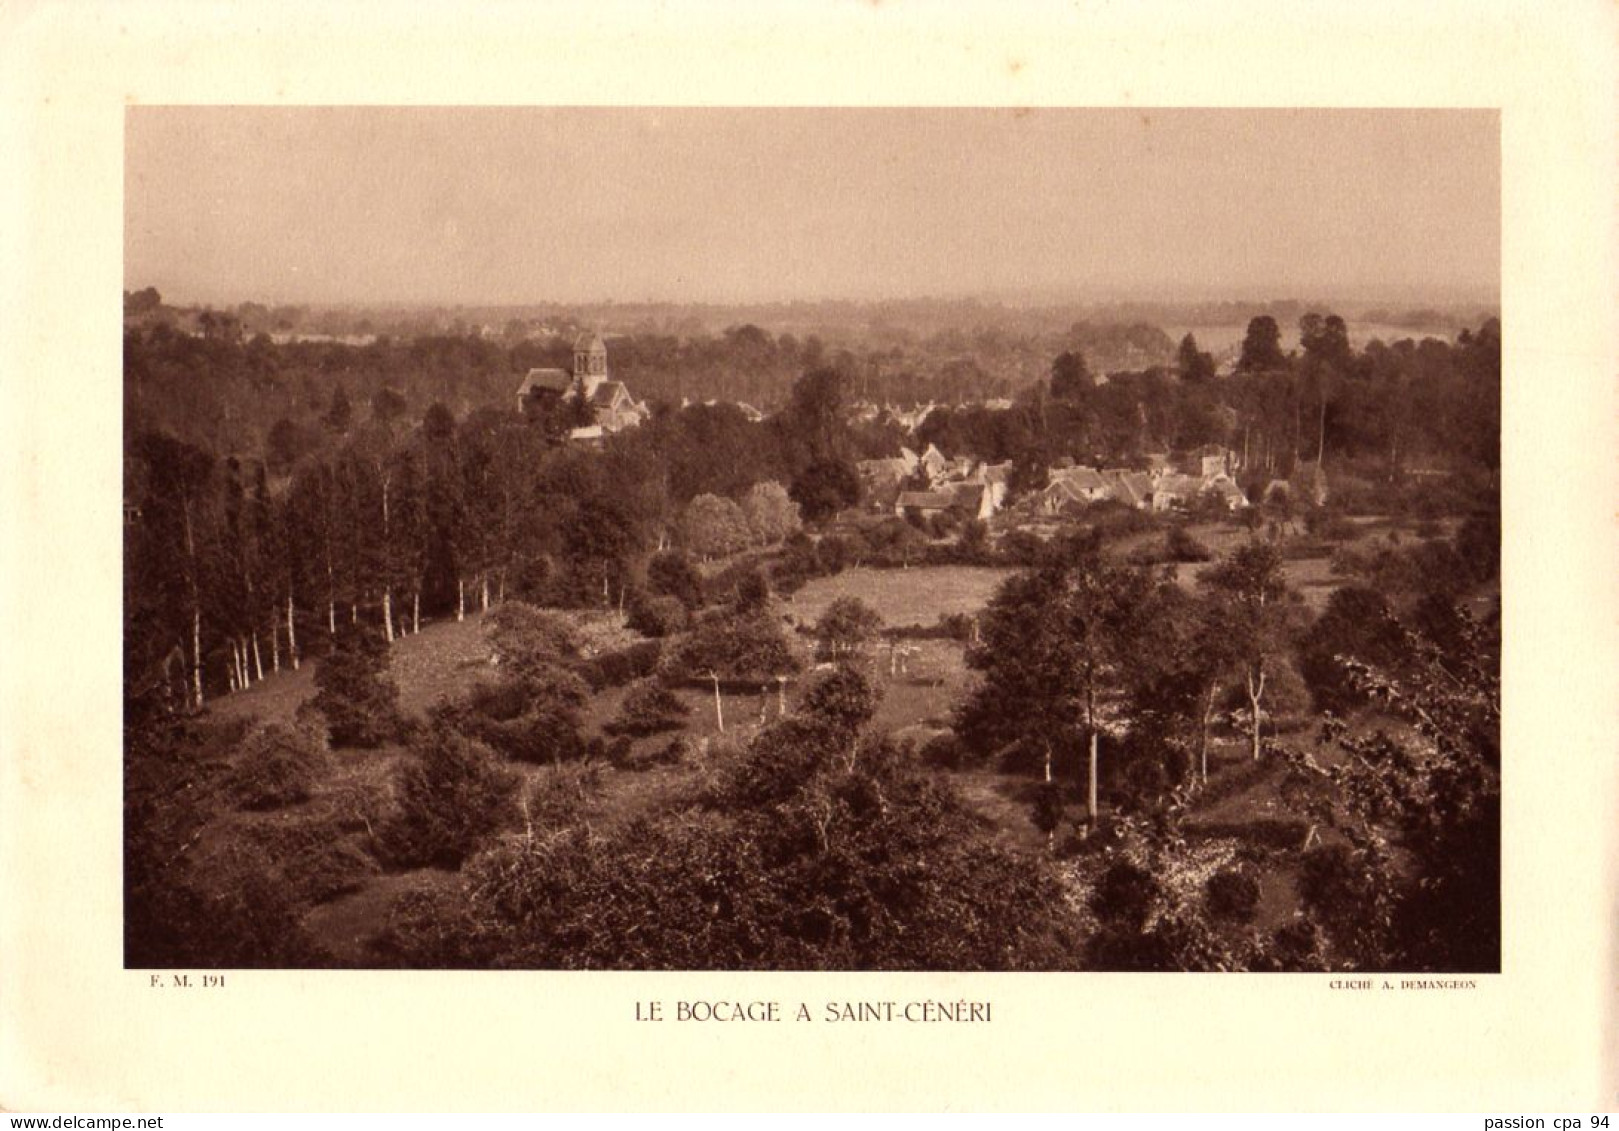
{"type": "Point", "coordinates": [527, 206]}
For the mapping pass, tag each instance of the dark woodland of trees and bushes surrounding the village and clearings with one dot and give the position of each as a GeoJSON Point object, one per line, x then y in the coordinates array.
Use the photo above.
{"type": "Point", "coordinates": [317, 501]}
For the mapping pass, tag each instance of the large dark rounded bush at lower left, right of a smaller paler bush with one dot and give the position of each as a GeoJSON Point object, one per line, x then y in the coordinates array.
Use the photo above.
{"type": "Point", "coordinates": [454, 798]}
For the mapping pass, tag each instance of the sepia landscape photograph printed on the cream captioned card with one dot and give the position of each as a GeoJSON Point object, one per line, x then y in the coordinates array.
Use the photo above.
{"type": "Point", "coordinates": [814, 540]}
